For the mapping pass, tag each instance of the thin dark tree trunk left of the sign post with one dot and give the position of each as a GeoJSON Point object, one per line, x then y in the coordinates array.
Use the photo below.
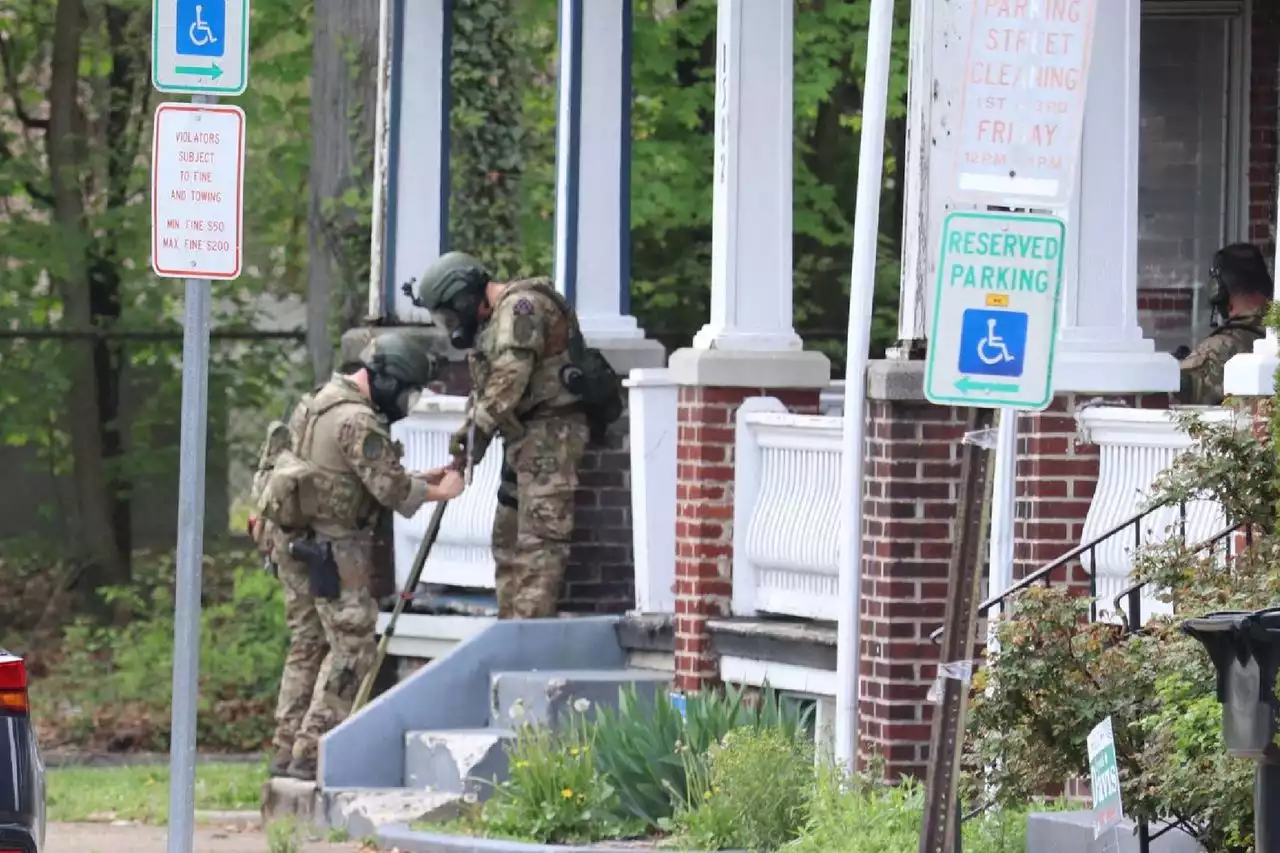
{"type": "Point", "coordinates": [66, 145]}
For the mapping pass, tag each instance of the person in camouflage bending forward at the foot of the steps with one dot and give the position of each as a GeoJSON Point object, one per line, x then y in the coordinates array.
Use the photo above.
{"type": "Point", "coordinates": [341, 431]}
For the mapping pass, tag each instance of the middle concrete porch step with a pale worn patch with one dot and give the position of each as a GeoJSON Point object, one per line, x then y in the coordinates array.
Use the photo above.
{"type": "Point", "coordinates": [459, 761]}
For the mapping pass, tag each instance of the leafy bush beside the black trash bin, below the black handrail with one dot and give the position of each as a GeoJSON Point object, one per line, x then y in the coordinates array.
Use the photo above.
{"type": "Point", "coordinates": [1055, 677]}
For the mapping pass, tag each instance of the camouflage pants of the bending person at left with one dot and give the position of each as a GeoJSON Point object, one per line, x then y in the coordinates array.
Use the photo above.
{"type": "Point", "coordinates": [331, 646]}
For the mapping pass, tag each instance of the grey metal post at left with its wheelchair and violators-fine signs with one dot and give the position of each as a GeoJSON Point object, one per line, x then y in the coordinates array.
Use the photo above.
{"type": "Point", "coordinates": [198, 223]}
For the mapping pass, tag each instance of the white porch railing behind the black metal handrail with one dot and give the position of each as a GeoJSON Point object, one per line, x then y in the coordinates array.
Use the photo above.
{"type": "Point", "coordinates": [1135, 446]}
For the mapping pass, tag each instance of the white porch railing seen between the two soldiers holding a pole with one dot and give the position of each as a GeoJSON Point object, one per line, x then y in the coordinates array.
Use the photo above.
{"type": "Point", "coordinates": [461, 556]}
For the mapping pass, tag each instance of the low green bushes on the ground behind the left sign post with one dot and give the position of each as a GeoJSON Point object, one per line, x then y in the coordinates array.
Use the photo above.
{"type": "Point", "coordinates": [112, 686]}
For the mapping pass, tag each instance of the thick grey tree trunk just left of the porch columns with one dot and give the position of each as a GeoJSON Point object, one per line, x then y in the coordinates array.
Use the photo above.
{"type": "Point", "coordinates": [344, 93]}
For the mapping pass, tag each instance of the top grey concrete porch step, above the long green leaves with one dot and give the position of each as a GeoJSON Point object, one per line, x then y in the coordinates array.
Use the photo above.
{"type": "Point", "coordinates": [548, 697]}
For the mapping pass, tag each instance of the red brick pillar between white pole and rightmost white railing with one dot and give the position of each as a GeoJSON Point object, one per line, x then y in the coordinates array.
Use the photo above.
{"type": "Point", "coordinates": [1058, 473]}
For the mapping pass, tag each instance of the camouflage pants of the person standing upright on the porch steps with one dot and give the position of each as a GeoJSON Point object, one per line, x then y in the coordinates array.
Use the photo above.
{"type": "Point", "coordinates": [534, 524]}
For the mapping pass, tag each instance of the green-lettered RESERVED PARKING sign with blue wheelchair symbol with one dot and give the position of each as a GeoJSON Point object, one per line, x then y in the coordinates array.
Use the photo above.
{"type": "Point", "coordinates": [996, 312]}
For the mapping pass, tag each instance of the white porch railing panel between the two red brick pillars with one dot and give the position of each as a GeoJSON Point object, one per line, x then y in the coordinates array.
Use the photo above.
{"type": "Point", "coordinates": [787, 512]}
